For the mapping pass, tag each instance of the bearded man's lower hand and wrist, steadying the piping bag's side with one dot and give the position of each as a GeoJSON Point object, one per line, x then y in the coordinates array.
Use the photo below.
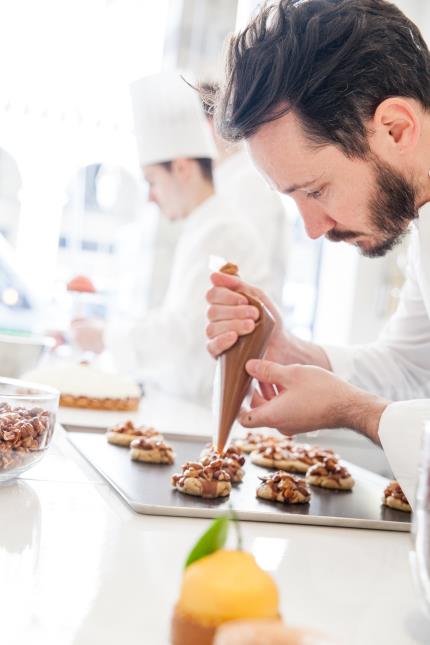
{"type": "Point", "coordinates": [310, 398]}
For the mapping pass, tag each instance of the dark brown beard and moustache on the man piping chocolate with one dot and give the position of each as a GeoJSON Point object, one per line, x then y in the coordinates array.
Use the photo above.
{"type": "Point", "coordinates": [392, 207]}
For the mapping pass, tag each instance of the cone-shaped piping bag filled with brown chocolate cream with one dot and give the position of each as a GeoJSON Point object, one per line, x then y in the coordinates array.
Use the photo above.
{"type": "Point", "coordinates": [232, 381]}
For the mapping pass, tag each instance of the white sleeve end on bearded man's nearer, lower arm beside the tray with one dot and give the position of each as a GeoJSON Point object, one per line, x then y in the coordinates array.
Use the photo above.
{"type": "Point", "coordinates": [400, 431]}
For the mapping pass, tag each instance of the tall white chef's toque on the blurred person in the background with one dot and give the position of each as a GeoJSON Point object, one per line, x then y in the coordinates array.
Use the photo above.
{"type": "Point", "coordinates": [169, 121]}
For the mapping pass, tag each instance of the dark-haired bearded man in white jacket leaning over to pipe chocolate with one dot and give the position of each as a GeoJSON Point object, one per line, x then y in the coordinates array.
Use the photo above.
{"type": "Point", "coordinates": [333, 100]}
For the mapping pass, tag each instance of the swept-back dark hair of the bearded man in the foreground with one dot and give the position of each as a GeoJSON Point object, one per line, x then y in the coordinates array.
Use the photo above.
{"type": "Point", "coordinates": [332, 62]}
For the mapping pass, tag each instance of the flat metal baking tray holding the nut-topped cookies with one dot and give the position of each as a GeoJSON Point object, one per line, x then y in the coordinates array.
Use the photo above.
{"type": "Point", "coordinates": [146, 488]}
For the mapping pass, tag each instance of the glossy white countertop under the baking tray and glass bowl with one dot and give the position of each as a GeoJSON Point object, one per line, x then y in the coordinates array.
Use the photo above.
{"type": "Point", "coordinates": [79, 567]}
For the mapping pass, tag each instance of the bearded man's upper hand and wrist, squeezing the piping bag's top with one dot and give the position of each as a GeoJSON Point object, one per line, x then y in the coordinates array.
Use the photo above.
{"type": "Point", "coordinates": [230, 316]}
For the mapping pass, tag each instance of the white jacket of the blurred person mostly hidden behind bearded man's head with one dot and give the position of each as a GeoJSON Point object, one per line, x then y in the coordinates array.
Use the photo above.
{"type": "Point", "coordinates": [248, 195]}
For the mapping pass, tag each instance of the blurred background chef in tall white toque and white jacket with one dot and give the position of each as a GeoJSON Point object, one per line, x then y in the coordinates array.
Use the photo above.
{"type": "Point", "coordinates": [166, 348]}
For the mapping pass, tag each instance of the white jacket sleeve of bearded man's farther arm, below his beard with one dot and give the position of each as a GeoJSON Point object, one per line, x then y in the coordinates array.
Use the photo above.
{"type": "Point", "coordinates": [397, 365]}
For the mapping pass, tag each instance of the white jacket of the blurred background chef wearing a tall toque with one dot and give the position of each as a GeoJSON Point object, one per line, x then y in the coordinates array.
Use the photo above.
{"type": "Point", "coordinates": [167, 347]}
